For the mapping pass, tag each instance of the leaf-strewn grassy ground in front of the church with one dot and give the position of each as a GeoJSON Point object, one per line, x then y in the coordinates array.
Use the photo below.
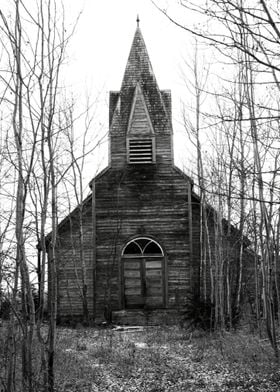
{"type": "Point", "coordinates": [163, 359]}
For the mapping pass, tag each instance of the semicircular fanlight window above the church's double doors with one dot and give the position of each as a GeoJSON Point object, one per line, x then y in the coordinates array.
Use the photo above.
{"type": "Point", "coordinates": [143, 246]}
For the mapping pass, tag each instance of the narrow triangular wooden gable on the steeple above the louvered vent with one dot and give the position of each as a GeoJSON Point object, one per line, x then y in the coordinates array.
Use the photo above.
{"type": "Point", "coordinates": [139, 120]}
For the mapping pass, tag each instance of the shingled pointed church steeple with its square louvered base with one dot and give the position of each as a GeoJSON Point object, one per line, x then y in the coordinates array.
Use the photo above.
{"type": "Point", "coordinates": [140, 110]}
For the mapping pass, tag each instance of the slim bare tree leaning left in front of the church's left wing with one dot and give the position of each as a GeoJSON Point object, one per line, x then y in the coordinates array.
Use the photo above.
{"type": "Point", "coordinates": [78, 149]}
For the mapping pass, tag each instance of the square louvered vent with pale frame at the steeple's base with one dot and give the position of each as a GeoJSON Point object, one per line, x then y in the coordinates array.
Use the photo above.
{"type": "Point", "coordinates": [140, 151]}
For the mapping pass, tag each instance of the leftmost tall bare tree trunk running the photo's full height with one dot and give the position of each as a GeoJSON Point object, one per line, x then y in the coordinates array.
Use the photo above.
{"type": "Point", "coordinates": [27, 308]}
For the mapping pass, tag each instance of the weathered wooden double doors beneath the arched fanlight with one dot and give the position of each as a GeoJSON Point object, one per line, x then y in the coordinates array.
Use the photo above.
{"type": "Point", "coordinates": [143, 281]}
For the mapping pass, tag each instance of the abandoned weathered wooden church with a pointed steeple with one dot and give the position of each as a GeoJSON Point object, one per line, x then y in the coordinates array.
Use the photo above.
{"type": "Point", "coordinates": [140, 248]}
